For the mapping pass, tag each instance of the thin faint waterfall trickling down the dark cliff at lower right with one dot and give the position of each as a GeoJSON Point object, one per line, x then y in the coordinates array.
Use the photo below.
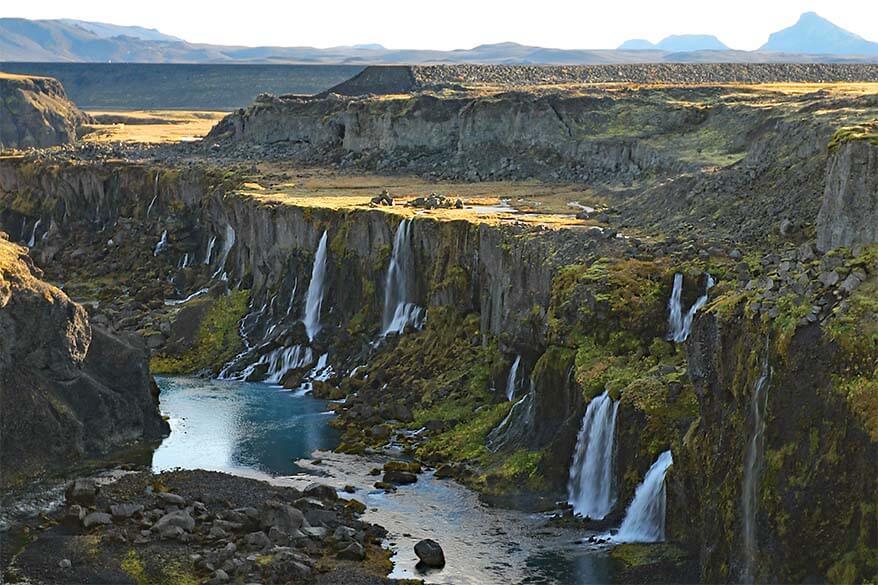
{"type": "Point", "coordinates": [753, 468]}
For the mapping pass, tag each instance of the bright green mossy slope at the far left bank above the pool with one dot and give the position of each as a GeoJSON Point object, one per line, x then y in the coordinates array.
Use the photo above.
{"type": "Point", "coordinates": [216, 342]}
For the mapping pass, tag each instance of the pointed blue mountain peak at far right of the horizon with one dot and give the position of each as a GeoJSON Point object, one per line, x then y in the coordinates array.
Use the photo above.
{"type": "Point", "coordinates": [814, 34]}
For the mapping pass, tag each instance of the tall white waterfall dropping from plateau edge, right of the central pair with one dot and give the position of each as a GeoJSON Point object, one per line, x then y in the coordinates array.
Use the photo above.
{"type": "Point", "coordinates": [400, 309]}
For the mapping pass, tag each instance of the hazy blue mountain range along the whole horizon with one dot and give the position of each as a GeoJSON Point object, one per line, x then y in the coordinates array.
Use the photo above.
{"type": "Point", "coordinates": [811, 39]}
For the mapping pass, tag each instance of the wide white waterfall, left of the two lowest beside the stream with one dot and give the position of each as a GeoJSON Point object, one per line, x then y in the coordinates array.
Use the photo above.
{"type": "Point", "coordinates": [590, 488]}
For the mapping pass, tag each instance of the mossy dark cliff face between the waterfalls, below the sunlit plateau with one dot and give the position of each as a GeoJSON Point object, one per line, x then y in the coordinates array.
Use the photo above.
{"type": "Point", "coordinates": [586, 313]}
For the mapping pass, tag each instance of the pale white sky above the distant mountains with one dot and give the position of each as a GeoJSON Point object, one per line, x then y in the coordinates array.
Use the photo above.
{"type": "Point", "coordinates": [455, 24]}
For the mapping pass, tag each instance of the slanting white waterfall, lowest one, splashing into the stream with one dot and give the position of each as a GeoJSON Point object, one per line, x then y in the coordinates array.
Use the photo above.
{"type": "Point", "coordinates": [645, 518]}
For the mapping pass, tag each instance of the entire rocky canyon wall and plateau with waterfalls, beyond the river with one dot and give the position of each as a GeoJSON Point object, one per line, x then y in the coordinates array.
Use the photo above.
{"type": "Point", "coordinates": [658, 302]}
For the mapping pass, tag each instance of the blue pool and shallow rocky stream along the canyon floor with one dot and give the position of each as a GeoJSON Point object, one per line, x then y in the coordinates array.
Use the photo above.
{"type": "Point", "coordinates": [266, 432]}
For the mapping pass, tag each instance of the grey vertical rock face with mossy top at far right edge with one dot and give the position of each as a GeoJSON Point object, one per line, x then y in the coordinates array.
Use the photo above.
{"type": "Point", "coordinates": [849, 214]}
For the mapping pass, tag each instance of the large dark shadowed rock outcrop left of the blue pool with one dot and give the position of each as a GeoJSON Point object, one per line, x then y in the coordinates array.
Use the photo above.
{"type": "Point", "coordinates": [67, 390]}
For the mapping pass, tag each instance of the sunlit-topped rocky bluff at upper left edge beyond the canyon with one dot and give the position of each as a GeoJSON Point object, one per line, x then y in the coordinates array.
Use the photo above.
{"type": "Point", "coordinates": [36, 113]}
